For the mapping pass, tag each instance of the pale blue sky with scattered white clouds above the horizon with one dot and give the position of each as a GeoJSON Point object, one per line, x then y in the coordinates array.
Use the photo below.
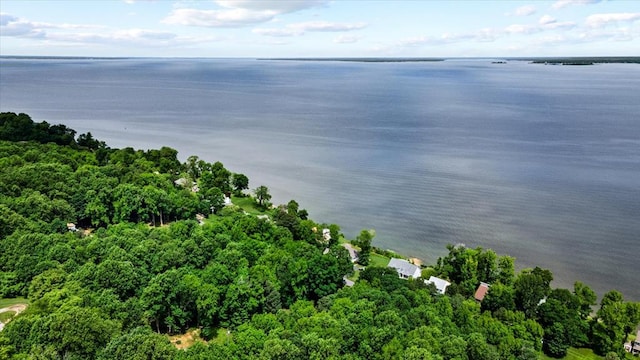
{"type": "Point", "coordinates": [320, 28]}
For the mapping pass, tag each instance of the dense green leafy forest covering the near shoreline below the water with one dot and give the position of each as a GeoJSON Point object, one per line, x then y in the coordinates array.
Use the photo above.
{"type": "Point", "coordinates": [118, 251]}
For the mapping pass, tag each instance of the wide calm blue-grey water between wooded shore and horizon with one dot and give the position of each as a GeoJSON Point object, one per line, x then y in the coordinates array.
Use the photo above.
{"type": "Point", "coordinates": [539, 162]}
